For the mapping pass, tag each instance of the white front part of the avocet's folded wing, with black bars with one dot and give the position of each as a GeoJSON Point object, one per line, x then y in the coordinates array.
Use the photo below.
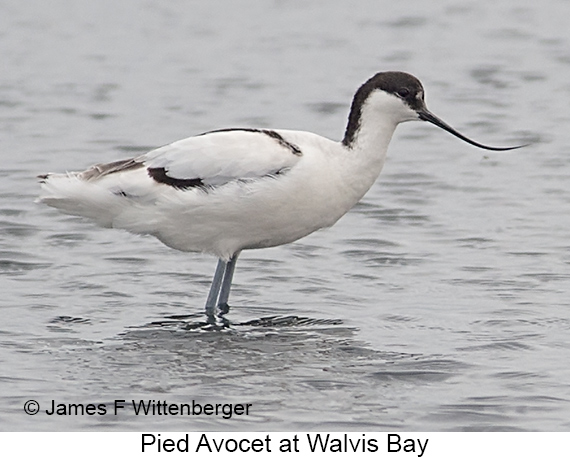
{"type": "Point", "coordinates": [216, 158]}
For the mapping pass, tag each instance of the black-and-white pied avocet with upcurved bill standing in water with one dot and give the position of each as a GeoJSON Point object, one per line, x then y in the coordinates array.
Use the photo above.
{"type": "Point", "coordinates": [225, 191]}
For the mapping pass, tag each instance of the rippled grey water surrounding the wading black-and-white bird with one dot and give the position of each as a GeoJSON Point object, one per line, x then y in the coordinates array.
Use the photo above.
{"type": "Point", "coordinates": [441, 302]}
